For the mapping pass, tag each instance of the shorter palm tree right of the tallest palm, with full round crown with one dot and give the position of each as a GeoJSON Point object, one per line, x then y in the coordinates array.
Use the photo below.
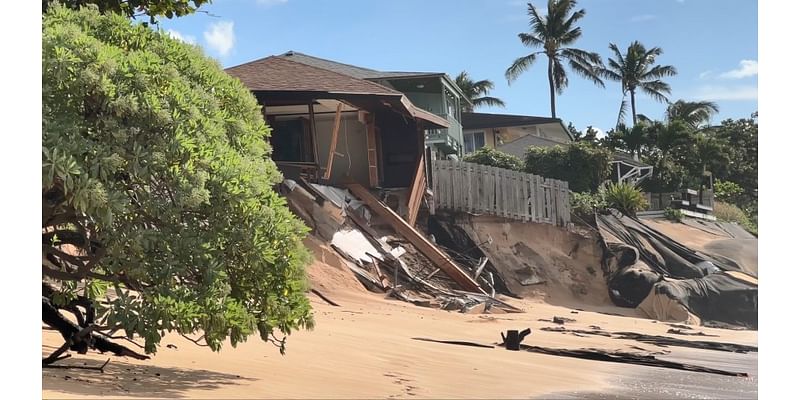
{"type": "Point", "coordinates": [635, 70]}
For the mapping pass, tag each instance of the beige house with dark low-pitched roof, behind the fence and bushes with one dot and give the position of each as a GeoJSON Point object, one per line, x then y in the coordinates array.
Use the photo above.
{"type": "Point", "coordinates": [512, 134]}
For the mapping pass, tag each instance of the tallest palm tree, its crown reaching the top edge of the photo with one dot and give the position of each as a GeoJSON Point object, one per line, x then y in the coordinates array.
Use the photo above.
{"type": "Point", "coordinates": [552, 33]}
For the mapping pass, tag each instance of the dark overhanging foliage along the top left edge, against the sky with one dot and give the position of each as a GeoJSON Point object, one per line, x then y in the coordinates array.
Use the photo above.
{"type": "Point", "coordinates": [133, 8]}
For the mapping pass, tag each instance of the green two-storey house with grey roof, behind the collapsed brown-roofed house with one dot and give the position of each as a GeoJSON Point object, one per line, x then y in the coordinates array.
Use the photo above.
{"type": "Point", "coordinates": [434, 92]}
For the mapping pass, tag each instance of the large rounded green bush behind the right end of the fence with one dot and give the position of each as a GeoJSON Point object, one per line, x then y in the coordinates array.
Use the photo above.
{"type": "Point", "coordinates": [583, 166]}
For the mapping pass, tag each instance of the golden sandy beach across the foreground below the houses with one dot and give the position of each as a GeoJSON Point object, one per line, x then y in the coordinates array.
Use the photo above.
{"type": "Point", "coordinates": [364, 349]}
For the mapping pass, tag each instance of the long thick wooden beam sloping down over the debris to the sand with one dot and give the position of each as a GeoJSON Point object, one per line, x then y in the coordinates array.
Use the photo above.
{"type": "Point", "coordinates": [419, 241]}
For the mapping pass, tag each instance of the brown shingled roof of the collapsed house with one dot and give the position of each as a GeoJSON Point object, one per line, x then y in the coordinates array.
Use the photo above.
{"type": "Point", "coordinates": [277, 73]}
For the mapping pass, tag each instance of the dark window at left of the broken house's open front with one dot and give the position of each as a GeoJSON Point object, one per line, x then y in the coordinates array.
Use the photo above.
{"type": "Point", "coordinates": [291, 140]}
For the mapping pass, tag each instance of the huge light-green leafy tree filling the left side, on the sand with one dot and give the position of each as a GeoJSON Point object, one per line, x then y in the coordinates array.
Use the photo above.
{"type": "Point", "coordinates": [157, 186]}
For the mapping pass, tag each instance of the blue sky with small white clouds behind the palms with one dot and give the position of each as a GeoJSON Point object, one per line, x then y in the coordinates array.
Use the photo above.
{"type": "Point", "coordinates": [712, 43]}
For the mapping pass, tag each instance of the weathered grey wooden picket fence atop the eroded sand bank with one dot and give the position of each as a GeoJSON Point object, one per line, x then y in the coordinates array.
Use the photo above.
{"type": "Point", "coordinates": [481, 189]}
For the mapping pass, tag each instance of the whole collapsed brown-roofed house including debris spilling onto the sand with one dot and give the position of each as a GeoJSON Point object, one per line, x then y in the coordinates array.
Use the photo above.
{"type": "Point", "coordinates": [352, 152]}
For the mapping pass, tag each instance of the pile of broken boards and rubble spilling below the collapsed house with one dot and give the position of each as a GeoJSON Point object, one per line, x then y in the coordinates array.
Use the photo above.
{"type": "Point", "coordinates": [389, 256]}
